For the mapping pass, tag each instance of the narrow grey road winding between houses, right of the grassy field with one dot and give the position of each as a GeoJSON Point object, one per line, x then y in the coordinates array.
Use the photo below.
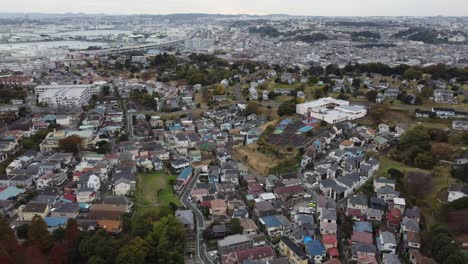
{"type": "Point", "coordinates": [200, 220]}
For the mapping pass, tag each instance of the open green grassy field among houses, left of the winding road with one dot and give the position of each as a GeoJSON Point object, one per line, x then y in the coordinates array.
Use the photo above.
{"type": "Point", "coordinates": [154, 189]}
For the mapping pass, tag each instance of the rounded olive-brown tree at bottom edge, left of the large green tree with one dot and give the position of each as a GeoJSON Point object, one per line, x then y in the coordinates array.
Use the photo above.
{"type": "Point", "coordinates": [134, 252]}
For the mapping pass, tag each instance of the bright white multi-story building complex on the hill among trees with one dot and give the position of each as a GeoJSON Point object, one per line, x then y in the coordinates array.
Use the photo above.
{"type": "Point", "coordinates": [331, 110]}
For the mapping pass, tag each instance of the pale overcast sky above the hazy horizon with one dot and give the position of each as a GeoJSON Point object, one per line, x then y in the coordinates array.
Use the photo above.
{"type": "Point", "coordinates": [292, 7]}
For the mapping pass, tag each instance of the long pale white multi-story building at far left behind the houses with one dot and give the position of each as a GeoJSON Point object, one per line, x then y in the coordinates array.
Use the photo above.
{"type": "Point", "coordinates": [66, 95]}
